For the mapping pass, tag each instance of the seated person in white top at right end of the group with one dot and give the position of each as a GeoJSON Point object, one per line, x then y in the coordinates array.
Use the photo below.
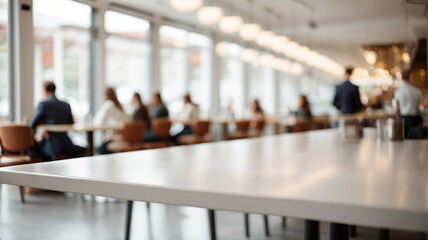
{"type": "Point", "coordinates": [189, 114]}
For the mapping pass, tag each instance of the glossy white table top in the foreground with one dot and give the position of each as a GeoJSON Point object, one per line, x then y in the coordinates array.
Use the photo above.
{"type": "Point", "coordinates": [315, 175]}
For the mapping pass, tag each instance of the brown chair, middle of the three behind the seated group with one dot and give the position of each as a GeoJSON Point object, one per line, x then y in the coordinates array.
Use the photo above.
{"type": "Point", "coordinates": [160, 128]}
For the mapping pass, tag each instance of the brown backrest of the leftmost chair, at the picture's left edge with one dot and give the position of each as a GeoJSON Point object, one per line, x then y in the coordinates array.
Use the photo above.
{"type": "Point", "coordinates": [15, 138]}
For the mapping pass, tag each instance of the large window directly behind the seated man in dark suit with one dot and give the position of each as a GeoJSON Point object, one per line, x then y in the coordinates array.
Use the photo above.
{"type": "Point", "coordinates": [62, 55]}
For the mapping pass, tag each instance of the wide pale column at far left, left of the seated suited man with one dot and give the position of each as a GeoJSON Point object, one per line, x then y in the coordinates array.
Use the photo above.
{"type": "Point", "coordinates": [22, 50]}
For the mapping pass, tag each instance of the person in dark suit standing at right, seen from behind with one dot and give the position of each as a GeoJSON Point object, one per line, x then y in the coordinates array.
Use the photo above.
{"type": "Point", "coordinates": [347, 96]}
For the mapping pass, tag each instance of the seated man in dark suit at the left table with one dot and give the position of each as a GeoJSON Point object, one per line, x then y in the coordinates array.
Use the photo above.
{"type": "Point", "coordinates": [54, 144]}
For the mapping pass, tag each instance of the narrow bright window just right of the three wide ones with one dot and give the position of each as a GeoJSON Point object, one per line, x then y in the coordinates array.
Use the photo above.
{"type": "Point", "coordinates": [231, 83]}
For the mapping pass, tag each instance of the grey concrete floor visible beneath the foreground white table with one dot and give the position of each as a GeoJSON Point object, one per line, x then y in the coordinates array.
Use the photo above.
{"type": "Point", "coordinates": [66, 216]}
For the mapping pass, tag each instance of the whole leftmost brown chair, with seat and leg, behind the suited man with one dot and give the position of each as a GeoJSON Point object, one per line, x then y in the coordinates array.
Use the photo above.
{"type": "Point", "coordinates": [15, 141]}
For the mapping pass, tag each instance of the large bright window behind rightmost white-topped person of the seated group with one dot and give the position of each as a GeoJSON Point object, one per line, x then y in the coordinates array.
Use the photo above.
{"type": "Point", "coordinates": [184, 68]}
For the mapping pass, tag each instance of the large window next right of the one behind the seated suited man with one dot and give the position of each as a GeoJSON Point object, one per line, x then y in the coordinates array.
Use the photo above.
{"type": "Point", "coordinates": [128, 55]}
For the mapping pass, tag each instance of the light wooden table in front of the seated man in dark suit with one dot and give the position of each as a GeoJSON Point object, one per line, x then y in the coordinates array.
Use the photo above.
{"type": "Point", "coordinates": [88, 128]}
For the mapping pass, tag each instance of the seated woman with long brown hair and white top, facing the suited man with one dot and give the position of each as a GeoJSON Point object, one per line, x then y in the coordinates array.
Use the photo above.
{"type": "Point", "coordinates": [110, 113]}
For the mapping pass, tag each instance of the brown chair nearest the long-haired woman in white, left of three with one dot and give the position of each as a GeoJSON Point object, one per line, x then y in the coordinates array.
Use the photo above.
{"type": "Point", "coordinates": [131, 139]}
